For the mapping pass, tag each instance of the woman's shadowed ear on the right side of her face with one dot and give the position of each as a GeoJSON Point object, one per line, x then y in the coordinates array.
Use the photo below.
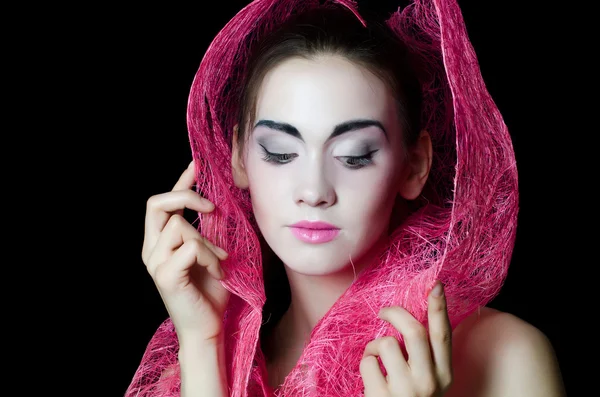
{"type": "Point", "coordinates": [417, 167]}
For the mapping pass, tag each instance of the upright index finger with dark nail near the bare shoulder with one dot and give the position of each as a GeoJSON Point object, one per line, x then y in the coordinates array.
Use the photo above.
{"type": "Point", "coordinates": [440, 333]}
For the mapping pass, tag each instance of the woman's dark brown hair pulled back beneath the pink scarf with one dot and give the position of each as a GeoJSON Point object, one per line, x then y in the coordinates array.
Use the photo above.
{"type": "Point", "coordinates": [309, 35]}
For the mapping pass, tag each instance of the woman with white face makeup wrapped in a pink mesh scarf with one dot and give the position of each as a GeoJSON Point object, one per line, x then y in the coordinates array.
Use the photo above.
{"type": "Point", "coordinates": [347, 170]}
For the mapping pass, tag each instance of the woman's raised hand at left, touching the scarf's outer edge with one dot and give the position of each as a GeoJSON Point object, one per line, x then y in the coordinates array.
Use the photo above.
{"type": "Point", "coordinates": [184, 265]}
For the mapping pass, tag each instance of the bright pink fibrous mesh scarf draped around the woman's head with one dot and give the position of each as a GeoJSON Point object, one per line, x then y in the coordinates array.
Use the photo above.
{"type": "Point", "coordinates": [466, 242]}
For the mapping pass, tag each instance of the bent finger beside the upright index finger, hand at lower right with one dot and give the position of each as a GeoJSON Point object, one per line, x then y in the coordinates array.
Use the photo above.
{"type": "Point", "coordinates": [415, 340]}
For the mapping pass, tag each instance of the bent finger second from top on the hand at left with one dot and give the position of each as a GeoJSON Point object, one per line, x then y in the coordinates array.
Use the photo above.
{"type": "Point", "coordinates": [161, 207]}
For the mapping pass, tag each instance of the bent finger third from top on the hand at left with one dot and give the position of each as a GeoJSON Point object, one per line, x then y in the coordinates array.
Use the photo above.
{"type": "Point", "coordinates": [176, 233]}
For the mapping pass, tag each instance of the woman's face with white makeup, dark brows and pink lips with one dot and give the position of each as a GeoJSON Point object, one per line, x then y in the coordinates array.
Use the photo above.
{"type": "Point", "coordinates": [326, 147]}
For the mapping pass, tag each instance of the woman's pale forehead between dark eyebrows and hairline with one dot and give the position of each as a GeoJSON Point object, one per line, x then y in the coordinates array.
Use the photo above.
{"type": "Point", "coordinates": [325, 90]}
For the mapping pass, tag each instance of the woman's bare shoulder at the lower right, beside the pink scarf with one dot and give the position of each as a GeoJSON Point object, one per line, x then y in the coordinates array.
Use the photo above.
{"type": "Point", "coordinates": [498, 354]}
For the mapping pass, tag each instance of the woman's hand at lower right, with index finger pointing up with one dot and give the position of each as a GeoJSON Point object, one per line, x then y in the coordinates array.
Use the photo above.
{"type": "Point", "coordinates": [428, 370]}
